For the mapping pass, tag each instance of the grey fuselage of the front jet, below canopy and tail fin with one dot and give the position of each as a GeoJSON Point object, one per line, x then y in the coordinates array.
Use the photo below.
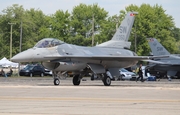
{"type": "Point", "coordinates": [36, 54]}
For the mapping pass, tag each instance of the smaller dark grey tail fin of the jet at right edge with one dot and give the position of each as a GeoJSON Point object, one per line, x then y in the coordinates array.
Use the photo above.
{"type": "Point", "coordinates": [156, 48]}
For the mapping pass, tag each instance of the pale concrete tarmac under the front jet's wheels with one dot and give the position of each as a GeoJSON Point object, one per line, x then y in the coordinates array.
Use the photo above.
{"type": "Point", "coordinates": [38, 96]}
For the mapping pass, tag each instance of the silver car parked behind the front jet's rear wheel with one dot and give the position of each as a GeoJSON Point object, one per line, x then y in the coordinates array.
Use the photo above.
{"type": "Point", "coordinates": [127, 75]}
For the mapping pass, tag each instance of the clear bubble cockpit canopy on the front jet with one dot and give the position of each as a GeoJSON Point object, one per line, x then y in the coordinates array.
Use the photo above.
{"type": "Point", "coordinates": [48, 42]}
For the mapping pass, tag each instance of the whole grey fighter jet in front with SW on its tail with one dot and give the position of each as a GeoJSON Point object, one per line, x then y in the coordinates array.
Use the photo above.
{"type": "Point", "coordinates": [59, 56]}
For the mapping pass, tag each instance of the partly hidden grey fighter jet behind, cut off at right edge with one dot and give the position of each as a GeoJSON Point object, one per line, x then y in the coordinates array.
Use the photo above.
{"type": "Point", "coordinates": [169, 66]}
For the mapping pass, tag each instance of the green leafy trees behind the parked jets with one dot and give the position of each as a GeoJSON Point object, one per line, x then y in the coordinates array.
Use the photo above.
{"type": "Point", "coordinates": [76, 27]}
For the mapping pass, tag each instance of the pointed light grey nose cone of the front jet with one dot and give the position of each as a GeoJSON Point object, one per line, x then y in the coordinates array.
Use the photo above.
{"type": "Point", "coordinates": [25, 56]}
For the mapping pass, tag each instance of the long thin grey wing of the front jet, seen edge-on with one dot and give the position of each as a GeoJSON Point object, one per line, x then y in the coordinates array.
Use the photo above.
{"type": "Point", "coordinates": [103, 57]}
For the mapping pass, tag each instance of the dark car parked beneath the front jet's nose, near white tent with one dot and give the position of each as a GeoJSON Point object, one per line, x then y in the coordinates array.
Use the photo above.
{"type": "Point", "coordinates": [32, 70]}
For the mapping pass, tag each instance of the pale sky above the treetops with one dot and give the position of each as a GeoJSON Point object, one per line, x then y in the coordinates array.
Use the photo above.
{"type": "Point", "coordinates": [172, 7]}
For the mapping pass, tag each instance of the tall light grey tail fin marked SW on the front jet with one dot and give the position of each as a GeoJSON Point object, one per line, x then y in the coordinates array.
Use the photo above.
{"type": "Point", "coordinates": [120, 38]}
